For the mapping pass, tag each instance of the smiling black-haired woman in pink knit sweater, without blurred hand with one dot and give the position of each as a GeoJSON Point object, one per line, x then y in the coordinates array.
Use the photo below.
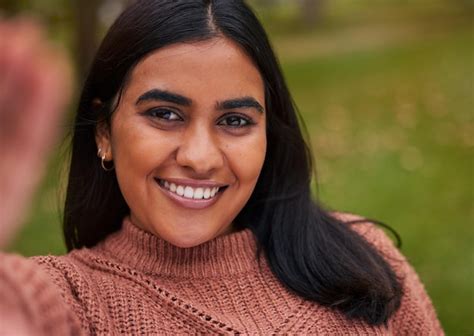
{"type": "Point", "coordinates": [196, 216]}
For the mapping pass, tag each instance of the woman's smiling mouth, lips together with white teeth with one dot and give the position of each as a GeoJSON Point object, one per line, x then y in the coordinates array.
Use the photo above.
{"type": "Point", "coordinates": [196, 196]}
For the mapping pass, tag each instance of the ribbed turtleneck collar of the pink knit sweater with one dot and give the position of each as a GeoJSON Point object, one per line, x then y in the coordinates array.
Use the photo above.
{"type": "Point", "coordinates": [225, 255]}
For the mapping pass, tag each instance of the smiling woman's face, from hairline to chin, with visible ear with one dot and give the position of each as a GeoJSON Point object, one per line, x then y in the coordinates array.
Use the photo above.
{"type": "Point", "coordinates": [188, 140]}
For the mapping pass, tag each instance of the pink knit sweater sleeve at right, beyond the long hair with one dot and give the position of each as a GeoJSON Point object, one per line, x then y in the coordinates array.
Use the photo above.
{"type": "Point", "coordinates": [416, 315]}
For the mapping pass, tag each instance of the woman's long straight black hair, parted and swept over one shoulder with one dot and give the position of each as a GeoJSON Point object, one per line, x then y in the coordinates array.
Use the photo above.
{"type": "Point", "coordinates": [310, 252]}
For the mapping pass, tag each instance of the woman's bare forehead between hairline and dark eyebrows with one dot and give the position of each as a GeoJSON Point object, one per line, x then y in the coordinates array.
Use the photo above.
{"type": "Point", "coordinates": [216, 67]}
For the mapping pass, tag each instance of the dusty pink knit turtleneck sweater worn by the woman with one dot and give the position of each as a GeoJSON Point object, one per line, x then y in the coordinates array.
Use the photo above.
{"type": "Point", "coordinates": [137, 284]}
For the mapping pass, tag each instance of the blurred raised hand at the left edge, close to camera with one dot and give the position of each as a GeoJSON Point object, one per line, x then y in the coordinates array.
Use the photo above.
{"type": "Point", "coordinates": [35, 81]}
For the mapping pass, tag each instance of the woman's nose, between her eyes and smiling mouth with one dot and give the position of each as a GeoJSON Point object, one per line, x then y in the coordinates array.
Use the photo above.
{"type": "Point", "coordinates": [199, 151]}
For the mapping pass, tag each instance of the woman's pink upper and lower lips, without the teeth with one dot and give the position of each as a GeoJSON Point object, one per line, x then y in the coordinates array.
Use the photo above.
{"type": "Point", "coordinates": [188, 202]}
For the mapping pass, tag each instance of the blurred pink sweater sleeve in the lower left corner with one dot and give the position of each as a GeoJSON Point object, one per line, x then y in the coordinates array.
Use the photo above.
{"type": "Point", "coordinates": [29, 303]}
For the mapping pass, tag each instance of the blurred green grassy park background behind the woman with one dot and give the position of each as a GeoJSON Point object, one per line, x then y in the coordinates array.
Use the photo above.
{"type": "Point", "coordinates": [386, 90]}
